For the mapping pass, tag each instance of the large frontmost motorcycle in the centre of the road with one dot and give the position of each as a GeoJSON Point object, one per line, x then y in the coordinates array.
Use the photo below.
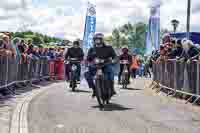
{"type": "Point", "coordinates": [103, 92]}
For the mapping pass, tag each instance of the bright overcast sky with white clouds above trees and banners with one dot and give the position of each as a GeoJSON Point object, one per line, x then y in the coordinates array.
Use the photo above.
{"type": "Point", "coordinates": [65, 18]}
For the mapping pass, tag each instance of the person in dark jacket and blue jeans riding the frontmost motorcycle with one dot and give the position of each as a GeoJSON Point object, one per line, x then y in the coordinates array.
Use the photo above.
{"type": "Point", "coordinates": [102, 51]}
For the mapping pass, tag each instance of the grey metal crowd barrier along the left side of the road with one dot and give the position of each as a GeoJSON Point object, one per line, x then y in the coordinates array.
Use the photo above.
{"type": "Point", "coordinates": [13, 71]}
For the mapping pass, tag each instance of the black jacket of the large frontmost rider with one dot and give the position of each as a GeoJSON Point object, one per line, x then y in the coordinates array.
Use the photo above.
{"type": "Point", "coordinates": [105, 52]}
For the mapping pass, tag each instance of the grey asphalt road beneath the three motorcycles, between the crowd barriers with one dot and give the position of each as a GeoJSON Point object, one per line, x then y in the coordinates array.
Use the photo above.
{"type": "Point", "coordinates": [59, 110]}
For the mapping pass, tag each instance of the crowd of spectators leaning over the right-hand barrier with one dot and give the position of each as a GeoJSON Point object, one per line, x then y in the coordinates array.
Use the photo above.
{"type": "Point", "coordinates": [182, 50]}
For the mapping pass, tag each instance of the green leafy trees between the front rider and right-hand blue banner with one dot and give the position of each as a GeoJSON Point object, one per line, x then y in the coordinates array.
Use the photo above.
{"type": "Point", "coordinates": [130, 35]}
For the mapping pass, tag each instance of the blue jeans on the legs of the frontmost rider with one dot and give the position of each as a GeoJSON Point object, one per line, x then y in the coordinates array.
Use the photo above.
{"type": "Point", "coordinates": [107, 70]}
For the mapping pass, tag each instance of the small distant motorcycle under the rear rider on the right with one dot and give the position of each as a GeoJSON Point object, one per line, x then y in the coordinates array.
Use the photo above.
{"type": "Point", "coordinates": [125, 74]}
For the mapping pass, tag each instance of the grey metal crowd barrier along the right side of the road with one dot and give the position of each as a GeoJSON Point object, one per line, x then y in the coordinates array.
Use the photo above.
{"type": "Point", "coordinates": [179, 77]}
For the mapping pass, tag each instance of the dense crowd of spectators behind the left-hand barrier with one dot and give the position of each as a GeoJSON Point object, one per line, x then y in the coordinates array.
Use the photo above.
{"type": "Point", "coordinates": [21, 49]}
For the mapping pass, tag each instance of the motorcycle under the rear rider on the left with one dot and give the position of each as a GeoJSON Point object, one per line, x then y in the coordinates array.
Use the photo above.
{"type": "Point", "coordinates": [73, 73]}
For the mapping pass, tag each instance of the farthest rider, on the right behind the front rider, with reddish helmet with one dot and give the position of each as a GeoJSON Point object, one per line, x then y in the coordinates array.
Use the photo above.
{"type": "Point", "coordinates": [124, 56]}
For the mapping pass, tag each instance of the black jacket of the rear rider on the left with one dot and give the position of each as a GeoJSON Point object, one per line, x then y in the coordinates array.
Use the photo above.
{"type": "Point", "coordinates": [74, 53]}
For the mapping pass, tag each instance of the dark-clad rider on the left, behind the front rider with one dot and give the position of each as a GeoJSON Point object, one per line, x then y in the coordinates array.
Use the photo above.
{"type": "Point", "coordinates": [75, 52]}
